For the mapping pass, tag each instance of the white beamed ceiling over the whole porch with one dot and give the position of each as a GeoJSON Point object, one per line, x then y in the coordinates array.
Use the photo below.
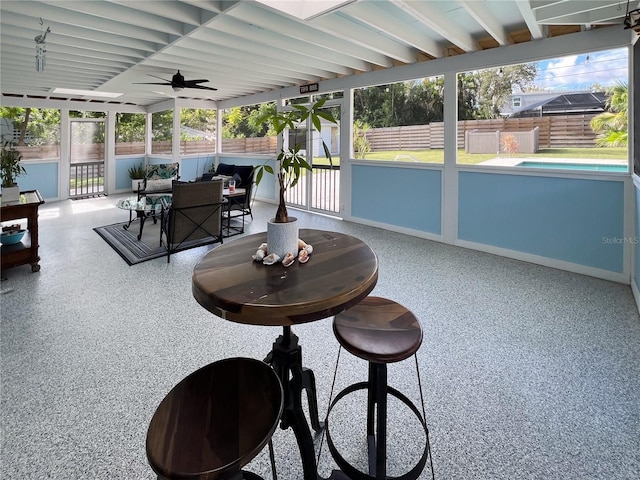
{"type": "Point", "coordinates": [245, 47]}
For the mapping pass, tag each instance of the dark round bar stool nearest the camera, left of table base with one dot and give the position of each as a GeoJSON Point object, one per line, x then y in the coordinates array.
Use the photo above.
{"type": "Point", "coordinates": [215, 421]}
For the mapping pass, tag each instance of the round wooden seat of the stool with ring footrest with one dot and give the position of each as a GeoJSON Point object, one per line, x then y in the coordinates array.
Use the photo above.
{"type": "Point", "coordinates": [378, 330]}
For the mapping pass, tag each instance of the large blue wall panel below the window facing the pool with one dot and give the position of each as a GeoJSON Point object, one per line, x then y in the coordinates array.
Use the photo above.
{"type": "Point", "coordinates": [575, 220]}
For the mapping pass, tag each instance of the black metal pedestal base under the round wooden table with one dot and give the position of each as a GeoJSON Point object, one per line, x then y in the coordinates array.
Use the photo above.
{"type": "Point", "coordinates": [286, 360]}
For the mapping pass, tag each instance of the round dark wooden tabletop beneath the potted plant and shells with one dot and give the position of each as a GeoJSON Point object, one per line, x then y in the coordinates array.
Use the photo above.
{"type": "Point", "coordinates": [341, 271]}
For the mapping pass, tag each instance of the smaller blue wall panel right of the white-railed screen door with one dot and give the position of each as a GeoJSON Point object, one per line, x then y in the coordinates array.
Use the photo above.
{"type": "Point", "coordinates": [404, 197]}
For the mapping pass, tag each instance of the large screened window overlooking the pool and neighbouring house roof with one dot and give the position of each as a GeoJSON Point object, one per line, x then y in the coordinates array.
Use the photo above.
{"type": "Point", "coordinates": [571, 114]}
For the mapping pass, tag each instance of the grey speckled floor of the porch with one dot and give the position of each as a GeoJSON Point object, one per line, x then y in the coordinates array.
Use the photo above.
{"type": "Point", "coordinates": [529, 372]}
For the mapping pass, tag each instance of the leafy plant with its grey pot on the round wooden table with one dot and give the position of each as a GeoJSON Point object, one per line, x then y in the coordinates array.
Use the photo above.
{"type": "Point", "coordinates": [291, 162]}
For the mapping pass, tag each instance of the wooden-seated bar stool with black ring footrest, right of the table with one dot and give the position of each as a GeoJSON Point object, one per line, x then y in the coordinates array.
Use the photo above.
{"type": "Point", "coordinates": [380, 331]}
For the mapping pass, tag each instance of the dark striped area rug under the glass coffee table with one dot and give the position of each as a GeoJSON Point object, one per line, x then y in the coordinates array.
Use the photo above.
{"type": "Point", "coordinates": [133, 251]}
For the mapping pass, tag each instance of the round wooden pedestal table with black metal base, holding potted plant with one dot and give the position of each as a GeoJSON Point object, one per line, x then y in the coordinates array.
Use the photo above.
{"type": "Point", "coordinates": [341, 271]}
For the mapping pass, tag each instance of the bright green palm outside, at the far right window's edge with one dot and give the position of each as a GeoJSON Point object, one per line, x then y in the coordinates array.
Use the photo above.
{"type": "Point", "coordinates": [611, 126]}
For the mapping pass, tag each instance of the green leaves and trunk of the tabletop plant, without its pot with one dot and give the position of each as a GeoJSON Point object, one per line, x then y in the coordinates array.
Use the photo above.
{"type": "Point", "coordinates": [290, 162]}
